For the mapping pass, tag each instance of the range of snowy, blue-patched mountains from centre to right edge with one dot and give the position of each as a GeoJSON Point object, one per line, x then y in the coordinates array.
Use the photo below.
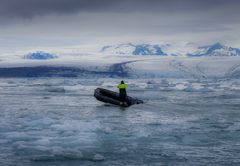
{"type": "Point", "coordinates": [189, 49]}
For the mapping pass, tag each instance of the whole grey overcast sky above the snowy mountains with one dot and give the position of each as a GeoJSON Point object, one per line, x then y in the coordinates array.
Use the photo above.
{"type": "Point", "coordinates": [75, 22]}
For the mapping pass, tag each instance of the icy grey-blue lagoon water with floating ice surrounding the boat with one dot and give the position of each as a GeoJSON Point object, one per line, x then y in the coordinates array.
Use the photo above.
{"type": "Point", "coordinates": [57, 121]}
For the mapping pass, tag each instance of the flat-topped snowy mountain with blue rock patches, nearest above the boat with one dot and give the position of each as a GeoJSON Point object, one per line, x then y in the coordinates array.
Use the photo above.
{"type": "Point", "coordinates": [132, 49]}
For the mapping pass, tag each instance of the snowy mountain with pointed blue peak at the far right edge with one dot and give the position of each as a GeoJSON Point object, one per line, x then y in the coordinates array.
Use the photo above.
{"type": "Point", "coordinates": [216, 49]}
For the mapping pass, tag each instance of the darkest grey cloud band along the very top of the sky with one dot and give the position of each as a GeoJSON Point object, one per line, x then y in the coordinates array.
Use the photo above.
{"type": "Point", "coordinates": [31, 8]}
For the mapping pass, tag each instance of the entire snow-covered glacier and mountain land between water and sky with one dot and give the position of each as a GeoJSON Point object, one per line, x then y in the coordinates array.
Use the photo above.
{"type": "Point", "coordinates": [69, 63]}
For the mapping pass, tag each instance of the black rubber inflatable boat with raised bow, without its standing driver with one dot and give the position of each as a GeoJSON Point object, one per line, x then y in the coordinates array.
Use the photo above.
{"type": "Point", "coordinates": [111, 97]}
